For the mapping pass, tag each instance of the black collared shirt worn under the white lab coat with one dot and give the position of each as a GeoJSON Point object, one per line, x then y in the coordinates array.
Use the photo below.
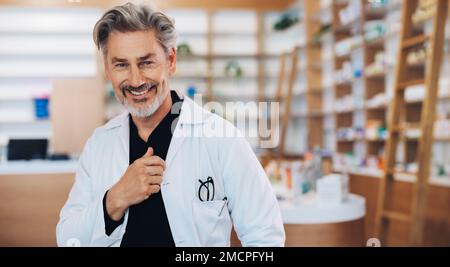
{"type": "Point", "coordinates": [147, 221]}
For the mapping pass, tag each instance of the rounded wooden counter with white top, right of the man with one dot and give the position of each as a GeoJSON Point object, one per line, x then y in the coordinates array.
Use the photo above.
{"type": "Point", "coordinates": [307, 223]}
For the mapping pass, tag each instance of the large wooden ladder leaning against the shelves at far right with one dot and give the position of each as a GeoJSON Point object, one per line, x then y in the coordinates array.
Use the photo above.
{"type": "Point", "coordinates": [420, 114]}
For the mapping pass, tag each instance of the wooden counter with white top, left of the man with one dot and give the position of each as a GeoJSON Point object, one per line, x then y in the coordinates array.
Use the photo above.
{"type": "Point", "coordinates": [31, 196]}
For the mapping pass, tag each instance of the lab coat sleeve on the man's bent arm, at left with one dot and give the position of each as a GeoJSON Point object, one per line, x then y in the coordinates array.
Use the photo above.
{"type": "Point", "coordinates": [81, 220]}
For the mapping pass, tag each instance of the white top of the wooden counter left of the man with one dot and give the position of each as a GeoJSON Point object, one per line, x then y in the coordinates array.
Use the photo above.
{"type": "Point", "coordinates": [37, 167]}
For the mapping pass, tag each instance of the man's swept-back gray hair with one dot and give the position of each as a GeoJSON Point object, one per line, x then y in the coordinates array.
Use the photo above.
{"type": "Point", "coordinates": [131, 18]}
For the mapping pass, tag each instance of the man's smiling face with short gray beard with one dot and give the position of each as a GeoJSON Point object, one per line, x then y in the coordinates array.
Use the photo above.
{"type": "Point", "coordinates": [139, 70]}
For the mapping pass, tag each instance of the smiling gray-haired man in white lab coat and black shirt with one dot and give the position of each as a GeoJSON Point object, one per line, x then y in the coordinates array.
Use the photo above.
{"type": "Point", "coordinates": [147, 178]}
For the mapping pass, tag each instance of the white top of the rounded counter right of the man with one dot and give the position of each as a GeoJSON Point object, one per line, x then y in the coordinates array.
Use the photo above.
{"type": "Point", "coordinates": [311, 212]}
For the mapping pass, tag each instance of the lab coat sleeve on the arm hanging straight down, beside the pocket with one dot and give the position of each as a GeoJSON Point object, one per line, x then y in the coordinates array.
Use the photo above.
{"type": "Point", "coordinates": [253, 206]}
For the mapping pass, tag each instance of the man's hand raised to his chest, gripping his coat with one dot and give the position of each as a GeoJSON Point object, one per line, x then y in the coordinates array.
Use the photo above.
{"type": "Point", "coordinates": [142, 179]}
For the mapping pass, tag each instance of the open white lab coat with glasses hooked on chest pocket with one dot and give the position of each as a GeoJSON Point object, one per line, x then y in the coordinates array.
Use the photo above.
{"type": "Point", "coordinates": [230, 161]}
